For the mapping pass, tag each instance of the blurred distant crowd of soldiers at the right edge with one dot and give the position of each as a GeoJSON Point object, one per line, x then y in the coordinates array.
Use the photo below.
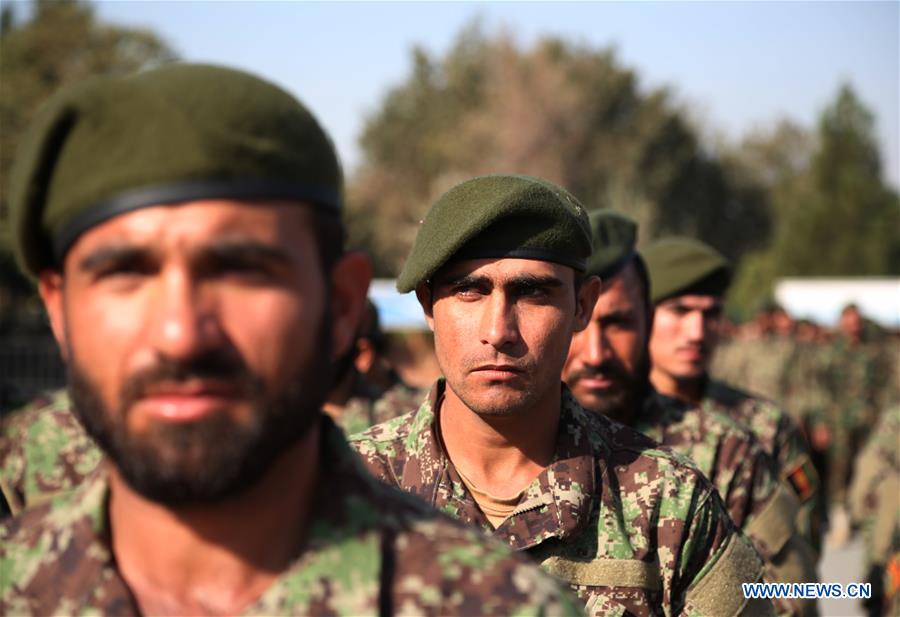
{"type": "Point", "coordinates": [835, 383]}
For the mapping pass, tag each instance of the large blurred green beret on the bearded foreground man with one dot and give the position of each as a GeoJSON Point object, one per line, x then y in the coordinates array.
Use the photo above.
{"type": "Point", "coordinates": [183, 132]}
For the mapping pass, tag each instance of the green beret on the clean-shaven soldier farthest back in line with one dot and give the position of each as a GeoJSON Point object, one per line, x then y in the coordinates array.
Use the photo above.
{"type": "Point", "coordinates": [680, 266]}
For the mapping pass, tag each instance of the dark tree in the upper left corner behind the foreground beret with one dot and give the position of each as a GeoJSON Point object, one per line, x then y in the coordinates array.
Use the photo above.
{"type": "Point", "coordinates": [61, 42]}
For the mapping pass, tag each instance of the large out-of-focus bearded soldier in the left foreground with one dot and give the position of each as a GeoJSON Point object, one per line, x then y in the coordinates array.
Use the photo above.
{"type": "Point", "coordinates": [184, 225]}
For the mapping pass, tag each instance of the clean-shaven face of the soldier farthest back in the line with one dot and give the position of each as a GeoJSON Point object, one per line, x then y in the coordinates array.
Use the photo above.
{"type": "Point", "coordinates": [685, 335]}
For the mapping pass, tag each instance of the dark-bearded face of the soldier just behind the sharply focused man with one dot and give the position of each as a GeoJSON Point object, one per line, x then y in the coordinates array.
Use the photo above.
{"type": "Point", "coordinates": [607, 362]}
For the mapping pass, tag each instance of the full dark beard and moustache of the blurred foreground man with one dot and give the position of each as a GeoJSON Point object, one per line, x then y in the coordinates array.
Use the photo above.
{"type": "Point", "coordinates": [210, 460]}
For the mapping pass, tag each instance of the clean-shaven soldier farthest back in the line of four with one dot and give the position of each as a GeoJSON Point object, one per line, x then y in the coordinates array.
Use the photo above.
{"type": "Point", "coordinates": [688, 282]}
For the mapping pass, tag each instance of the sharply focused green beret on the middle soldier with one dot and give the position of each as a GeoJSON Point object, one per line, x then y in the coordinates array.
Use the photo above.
{"type": "Point", "coordinates": [499, 216]}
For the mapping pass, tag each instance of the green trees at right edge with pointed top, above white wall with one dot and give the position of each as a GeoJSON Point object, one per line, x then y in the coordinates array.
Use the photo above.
{"type": "Point", "coordinates": [833, 213]}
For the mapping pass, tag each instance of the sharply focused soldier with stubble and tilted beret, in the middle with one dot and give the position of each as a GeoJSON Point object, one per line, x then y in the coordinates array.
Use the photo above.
{"type": "Point", "coordinates": [500, 443]}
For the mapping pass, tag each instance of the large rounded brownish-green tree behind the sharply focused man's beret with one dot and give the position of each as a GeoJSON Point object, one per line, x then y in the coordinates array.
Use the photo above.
{"type": "Point", "coordinates": [559, 110]}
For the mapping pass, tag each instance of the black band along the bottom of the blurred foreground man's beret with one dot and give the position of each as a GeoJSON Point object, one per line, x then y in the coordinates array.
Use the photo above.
{"type": "Point", "coordinates": [168, 194]}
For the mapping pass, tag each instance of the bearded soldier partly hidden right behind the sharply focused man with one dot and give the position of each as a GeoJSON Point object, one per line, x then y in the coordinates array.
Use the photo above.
{"type": "Point", "coordinates": [607, 370]}
